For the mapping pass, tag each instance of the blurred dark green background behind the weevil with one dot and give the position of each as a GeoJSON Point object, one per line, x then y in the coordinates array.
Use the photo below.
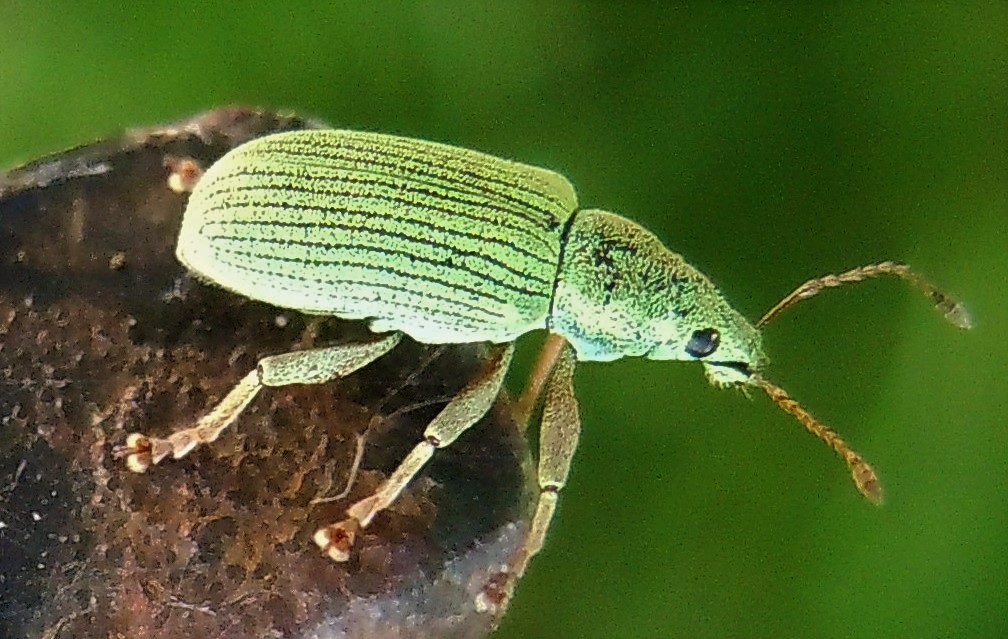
{"type": "Point", "coordinates": [769, 146]}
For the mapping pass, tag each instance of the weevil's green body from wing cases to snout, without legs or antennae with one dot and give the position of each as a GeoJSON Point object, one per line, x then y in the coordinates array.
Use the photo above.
{"type": "Point", "coordinates": [446, 245]}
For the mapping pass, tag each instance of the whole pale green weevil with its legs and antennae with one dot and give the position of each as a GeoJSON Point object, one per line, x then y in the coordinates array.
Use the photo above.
{"type": "Point", "coordinates": [449, 245]}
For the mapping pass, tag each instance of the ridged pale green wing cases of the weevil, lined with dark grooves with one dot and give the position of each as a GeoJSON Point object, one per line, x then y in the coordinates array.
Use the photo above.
{"type": "Point", "coordinates": [442, 243]}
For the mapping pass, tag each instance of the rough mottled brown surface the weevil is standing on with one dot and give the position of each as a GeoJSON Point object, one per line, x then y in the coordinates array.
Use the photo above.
{"type": "Point", "coordinates": [102, 334]}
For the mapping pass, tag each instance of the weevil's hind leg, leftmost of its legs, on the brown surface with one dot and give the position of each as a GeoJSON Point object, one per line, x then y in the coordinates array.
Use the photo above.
{"type": "Point", "coordinates": [314, 366]}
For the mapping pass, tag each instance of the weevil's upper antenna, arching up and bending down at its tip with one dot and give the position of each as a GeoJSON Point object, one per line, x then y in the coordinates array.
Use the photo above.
{"type": "Point", "coordinates": [953, 311]}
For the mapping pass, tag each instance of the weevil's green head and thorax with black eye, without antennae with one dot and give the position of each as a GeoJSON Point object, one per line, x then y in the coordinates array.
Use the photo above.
{"type": "Point", "coordinates": [620, 293]}
